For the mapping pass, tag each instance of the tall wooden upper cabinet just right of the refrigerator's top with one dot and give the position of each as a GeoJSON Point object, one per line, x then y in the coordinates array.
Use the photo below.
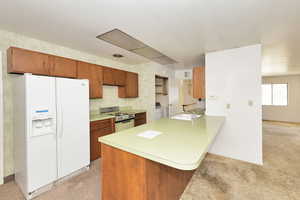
{"type": "Point", "coordinates": [94, 74]}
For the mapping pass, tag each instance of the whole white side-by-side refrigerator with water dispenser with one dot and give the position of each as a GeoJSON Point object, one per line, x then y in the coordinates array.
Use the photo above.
{"type": "Point", "coordinates": [51, 130]}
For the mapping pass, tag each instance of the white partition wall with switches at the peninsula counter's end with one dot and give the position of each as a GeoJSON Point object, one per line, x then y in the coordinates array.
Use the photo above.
{"type": "Point", "coordinates": [233, 78]}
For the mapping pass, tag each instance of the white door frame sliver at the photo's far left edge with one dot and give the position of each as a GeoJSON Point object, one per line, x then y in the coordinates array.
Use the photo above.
{"type": "Point", "coordinates": [1, 125]}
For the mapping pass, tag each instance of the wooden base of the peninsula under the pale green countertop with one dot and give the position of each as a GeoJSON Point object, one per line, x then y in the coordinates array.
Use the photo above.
{"type": "Point", "coordinates": [126, 176]}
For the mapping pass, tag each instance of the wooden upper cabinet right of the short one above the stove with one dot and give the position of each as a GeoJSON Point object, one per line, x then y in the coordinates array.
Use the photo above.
{"type": "Point", "coordinates": [131, 88]}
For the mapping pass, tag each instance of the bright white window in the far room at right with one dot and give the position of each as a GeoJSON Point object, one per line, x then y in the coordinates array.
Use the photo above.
{"type": "Point", "coordinates": [275, 94]}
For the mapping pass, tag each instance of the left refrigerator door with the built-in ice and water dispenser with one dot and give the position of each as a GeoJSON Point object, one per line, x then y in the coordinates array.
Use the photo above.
{"type": "Point", "coordinates": [41, 131]}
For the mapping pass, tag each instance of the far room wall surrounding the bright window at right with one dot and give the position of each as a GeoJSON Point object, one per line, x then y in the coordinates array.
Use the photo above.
{"type": "Point", "coordinates": [289, 113]}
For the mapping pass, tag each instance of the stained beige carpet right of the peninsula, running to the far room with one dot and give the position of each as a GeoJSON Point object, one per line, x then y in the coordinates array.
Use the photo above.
{"type": "Point", "coordinates": [221, 178]}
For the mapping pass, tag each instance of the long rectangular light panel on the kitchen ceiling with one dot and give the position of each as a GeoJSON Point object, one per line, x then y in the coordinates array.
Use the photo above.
{"type": "Point", "coordinates": [125, 41]}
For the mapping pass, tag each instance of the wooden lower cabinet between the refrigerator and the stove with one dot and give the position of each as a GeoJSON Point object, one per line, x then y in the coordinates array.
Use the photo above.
{"type": "Point", "coordinates": [98, 129]}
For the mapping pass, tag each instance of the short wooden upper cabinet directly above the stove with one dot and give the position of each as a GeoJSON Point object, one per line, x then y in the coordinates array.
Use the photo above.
{"type": "Point", "coordinates": [113, 76]}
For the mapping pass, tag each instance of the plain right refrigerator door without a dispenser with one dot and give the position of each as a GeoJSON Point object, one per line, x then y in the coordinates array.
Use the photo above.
{"type": "Point", "coordinates": [73, 141]}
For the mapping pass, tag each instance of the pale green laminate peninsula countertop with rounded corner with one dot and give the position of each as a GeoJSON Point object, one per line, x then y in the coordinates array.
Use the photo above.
{"type": "Point", "coordinates": [182, 144]}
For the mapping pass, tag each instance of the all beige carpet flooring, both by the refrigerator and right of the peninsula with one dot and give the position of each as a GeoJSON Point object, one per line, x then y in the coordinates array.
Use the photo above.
{"type": "Point", "coordinates": [217, 178]}
